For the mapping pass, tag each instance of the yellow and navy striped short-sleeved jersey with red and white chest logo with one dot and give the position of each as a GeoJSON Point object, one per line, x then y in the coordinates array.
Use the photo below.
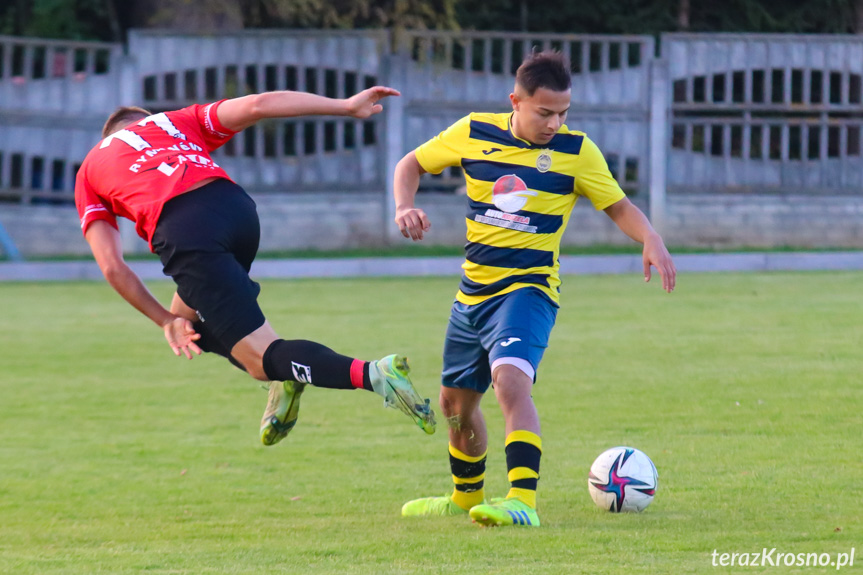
{"type": "Point", "coordinates": [520, 198]}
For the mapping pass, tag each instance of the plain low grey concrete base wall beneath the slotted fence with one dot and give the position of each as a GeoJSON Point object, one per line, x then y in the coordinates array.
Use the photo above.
{"type": "Point", "coordinates": [332, 221]}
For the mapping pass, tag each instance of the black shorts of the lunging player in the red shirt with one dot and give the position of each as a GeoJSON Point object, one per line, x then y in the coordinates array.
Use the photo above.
{"type": "Point", "coordinates": [207, 240]}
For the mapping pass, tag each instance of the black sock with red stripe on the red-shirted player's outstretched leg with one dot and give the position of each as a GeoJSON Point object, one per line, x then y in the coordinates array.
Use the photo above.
{"type": "Point", "coordinates": [310, 362]}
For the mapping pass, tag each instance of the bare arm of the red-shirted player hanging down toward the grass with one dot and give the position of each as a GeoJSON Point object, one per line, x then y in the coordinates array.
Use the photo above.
{"type": "Point", "coordinates": [105, 243]}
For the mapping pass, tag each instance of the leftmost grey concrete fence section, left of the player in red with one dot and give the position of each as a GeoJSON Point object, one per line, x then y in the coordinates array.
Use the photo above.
{"type": "Point", "coordinates": [53, 98]}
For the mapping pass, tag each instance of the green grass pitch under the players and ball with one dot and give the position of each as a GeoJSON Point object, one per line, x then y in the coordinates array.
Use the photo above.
{"type": "Point", "coordinates": [745, 389]}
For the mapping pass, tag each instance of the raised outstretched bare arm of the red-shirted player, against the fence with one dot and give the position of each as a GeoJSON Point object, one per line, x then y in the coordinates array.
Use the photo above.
{"type": "Point", "coordinates": [239, 113]}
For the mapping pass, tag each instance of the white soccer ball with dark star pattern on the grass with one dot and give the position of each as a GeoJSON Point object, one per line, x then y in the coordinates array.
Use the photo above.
{"type": "Point", "coordinates": [622, 479]}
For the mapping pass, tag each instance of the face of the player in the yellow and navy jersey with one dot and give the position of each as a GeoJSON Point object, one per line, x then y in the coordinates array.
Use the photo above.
{"type": "Point", "coordinates": [537, 118]}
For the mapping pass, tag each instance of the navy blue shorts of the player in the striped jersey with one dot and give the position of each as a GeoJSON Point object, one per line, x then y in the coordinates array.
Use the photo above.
{"type": "Point", "coordinates": [513, 328]}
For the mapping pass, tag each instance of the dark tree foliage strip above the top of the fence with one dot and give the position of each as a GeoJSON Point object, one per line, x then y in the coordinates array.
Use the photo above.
{"type": "Point", "coordinates": [107, 19]}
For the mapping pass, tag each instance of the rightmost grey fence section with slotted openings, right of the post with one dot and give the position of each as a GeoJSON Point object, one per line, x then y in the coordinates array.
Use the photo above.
{"type": "Point", "coordinates": [765, 113]}
